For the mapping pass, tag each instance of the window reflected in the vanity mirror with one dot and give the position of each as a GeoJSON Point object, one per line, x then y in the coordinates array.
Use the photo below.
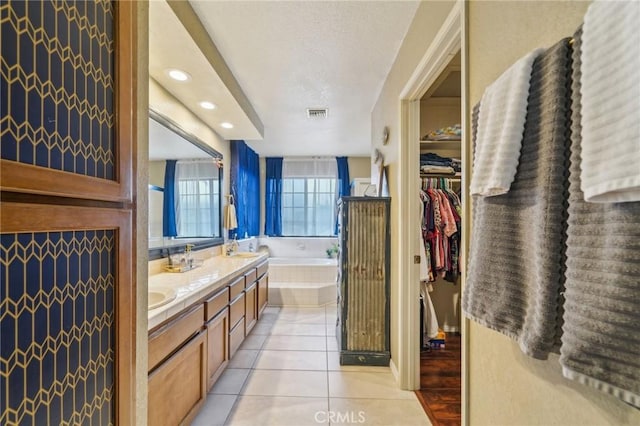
{"type": "Point", "coordinates": [198, 199]}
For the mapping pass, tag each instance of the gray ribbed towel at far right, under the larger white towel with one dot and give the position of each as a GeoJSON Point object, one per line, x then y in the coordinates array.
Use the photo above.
{"type": "Point", "coordinates": [601, 340]}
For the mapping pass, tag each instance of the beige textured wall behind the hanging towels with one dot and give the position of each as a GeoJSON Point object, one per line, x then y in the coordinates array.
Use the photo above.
{"type": "Point", "coordinates": [505, 386]}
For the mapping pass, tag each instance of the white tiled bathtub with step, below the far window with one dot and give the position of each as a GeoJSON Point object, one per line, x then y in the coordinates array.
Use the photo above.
{"type": "Point", "coordinates": [302, 281]}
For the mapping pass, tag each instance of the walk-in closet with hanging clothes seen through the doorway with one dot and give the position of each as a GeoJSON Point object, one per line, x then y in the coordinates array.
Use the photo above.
{"type": "Point", "coordinates": [440, 238]}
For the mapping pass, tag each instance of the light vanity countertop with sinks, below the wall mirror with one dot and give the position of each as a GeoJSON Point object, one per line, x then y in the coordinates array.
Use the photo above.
{"type": "Point", "coordinates": [193, 285]}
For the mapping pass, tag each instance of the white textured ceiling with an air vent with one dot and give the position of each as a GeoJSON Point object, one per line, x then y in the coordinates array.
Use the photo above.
{"type": "Point", "coordinates": [288, 56]}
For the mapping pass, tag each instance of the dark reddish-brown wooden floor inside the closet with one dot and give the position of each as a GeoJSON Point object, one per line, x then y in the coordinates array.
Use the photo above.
{"type": "Point", "coordinates": [440, 383]}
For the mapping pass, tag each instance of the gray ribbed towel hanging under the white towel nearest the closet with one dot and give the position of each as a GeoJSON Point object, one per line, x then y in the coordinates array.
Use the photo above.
{"type": "Point", "coordinates": [515, 273]}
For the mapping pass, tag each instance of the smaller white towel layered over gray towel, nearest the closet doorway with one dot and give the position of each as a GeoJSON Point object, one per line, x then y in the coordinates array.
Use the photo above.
{"type": "Point", "coordinates": [503, 110]}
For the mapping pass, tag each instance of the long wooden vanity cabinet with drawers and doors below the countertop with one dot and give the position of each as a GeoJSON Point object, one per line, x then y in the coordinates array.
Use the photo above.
{"type": "Point", "coordinates": [189, 353]}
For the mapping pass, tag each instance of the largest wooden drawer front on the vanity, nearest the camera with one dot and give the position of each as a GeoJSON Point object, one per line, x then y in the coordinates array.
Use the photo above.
{"type": "Point", "coordinates": [170, 337]}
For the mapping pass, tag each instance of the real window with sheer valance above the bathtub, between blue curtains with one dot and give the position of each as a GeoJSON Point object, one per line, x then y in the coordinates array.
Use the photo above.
{"type": "Point", "coordinates": [309, 197]}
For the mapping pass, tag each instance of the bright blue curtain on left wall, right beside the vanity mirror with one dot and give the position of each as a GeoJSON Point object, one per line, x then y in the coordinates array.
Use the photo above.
{"type": "Point", "coordinates": [245, 188]}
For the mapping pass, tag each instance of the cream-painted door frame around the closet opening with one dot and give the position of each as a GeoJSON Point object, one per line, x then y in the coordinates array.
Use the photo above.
{"type": "Point", "coordinates": [448, 41]}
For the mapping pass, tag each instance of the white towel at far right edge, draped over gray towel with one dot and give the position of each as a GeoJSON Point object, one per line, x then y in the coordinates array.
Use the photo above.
{"type": "Point", "coordinates": [611, 102]}
